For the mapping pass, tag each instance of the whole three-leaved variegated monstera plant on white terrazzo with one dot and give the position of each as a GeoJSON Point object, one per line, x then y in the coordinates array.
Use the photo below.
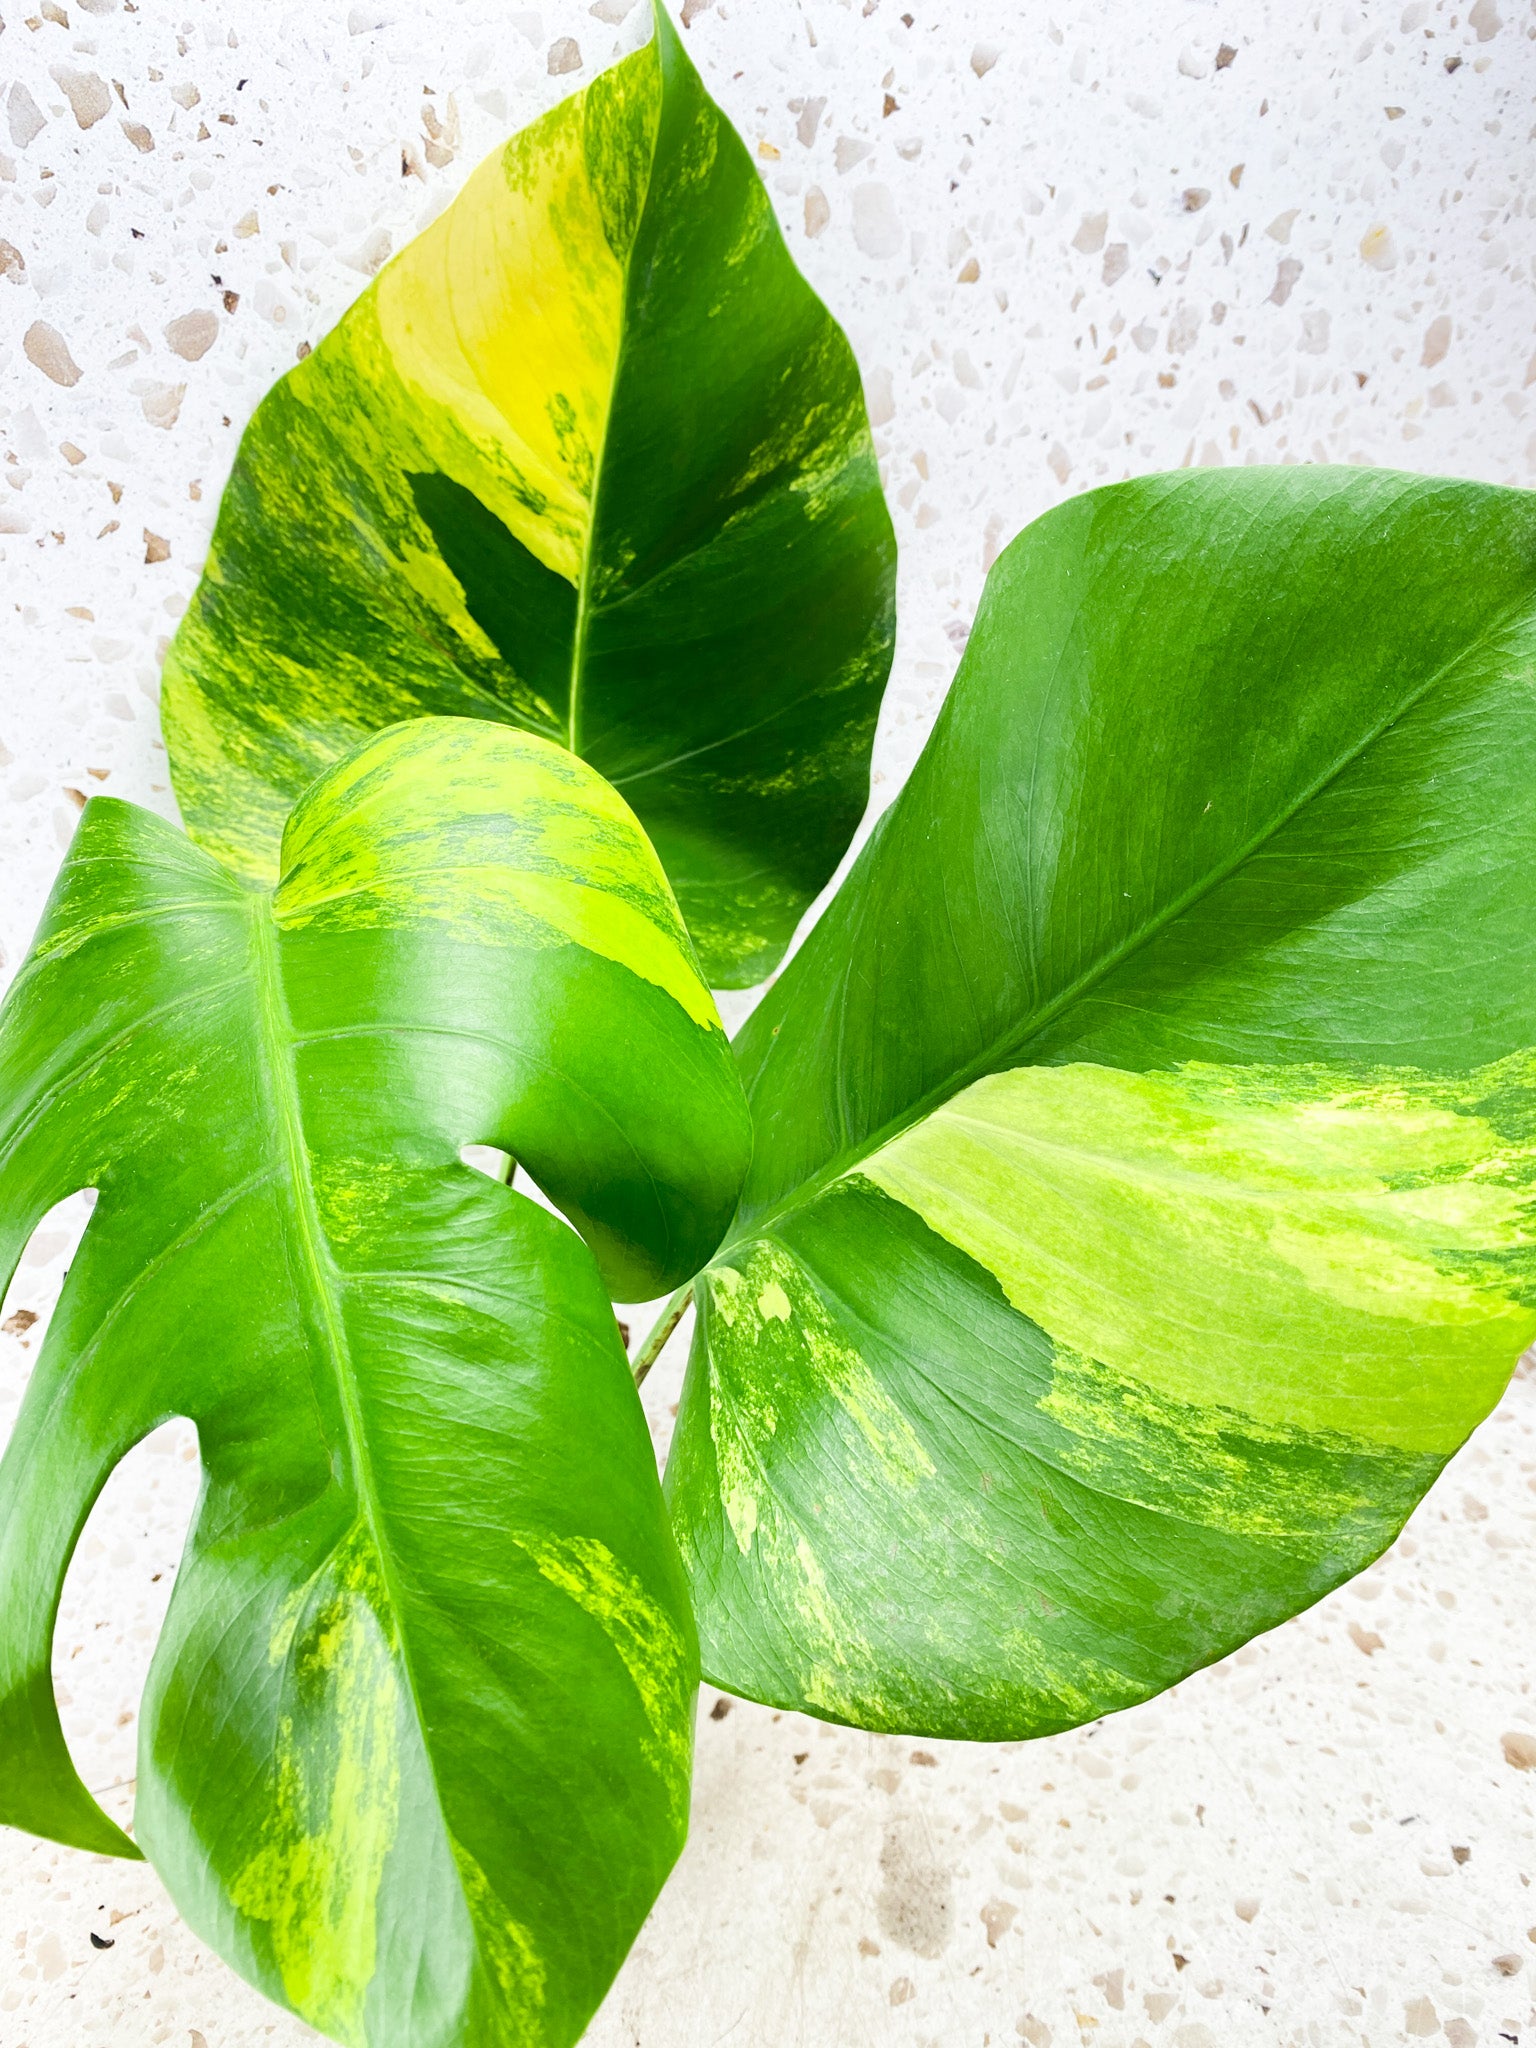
{"type": "Point", "coordinates": [1103, 1234]}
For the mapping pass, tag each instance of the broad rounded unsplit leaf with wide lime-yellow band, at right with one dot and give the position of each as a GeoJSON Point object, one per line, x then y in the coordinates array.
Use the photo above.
{"type": "Point", "coordinates": [1142, 1205]}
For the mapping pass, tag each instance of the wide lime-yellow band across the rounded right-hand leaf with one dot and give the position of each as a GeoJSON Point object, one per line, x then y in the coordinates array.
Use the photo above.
{"type": "Point", "coordinates": [1308, 1248]}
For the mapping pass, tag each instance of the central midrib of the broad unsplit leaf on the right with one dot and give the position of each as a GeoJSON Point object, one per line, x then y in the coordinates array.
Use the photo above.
{"type": "Point", "coordinates": [1007, 1048]}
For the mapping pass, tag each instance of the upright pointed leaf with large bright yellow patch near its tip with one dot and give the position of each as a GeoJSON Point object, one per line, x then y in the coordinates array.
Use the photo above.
{"type": "Point", "coordinates": [593, 460]}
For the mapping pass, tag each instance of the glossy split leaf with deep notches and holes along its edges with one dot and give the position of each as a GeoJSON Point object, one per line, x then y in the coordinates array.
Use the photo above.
{"type": "Point", "coordinates": [417, 1740]}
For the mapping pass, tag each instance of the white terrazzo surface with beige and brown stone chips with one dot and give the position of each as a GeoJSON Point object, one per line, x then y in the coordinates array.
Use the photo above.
{"type": "Point", "coordinates": [1068, 249]}
